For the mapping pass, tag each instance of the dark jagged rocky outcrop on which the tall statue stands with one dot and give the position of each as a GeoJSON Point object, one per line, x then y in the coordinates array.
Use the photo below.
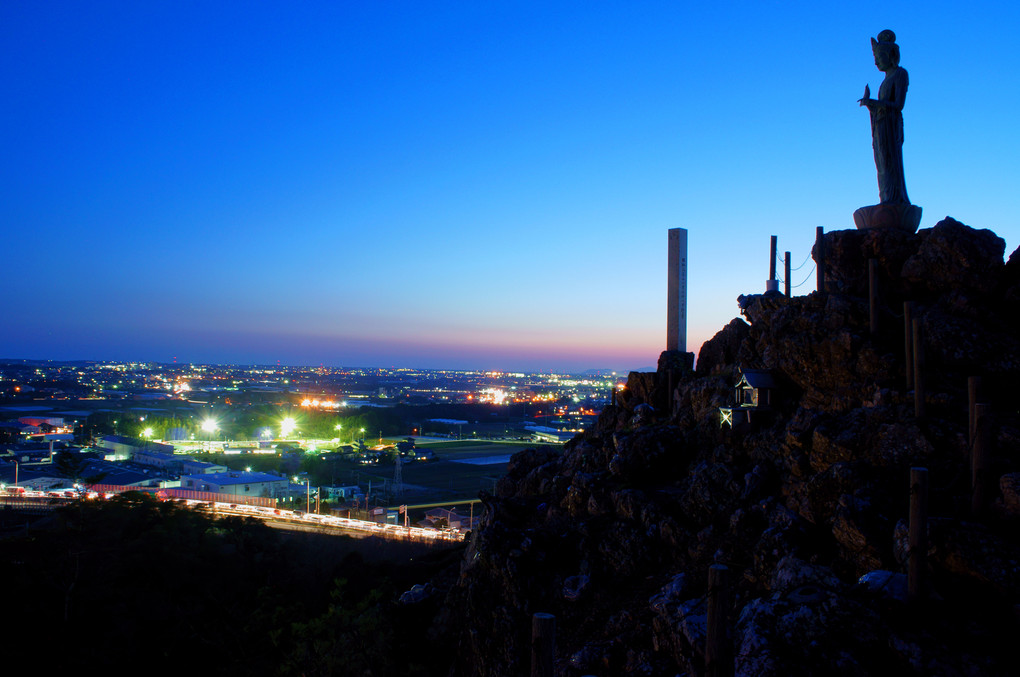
{"type": "Point", "coordinates": [616, 535]}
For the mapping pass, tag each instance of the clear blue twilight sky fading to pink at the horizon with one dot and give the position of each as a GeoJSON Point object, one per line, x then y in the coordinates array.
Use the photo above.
{"type": "Point", "coordinates": [460, 185]}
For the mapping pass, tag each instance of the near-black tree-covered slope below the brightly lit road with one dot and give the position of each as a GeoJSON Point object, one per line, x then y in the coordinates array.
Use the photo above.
{"type": "Point", "coordinates": [134, 586]}
